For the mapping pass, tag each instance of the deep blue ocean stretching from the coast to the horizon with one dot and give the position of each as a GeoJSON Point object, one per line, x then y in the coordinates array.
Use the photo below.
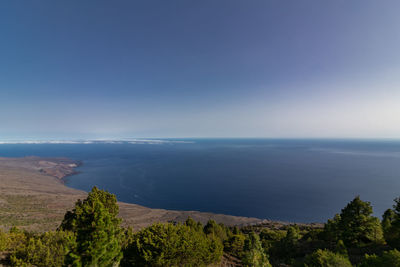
{"type": "Point", "coordinates": [288, 180]}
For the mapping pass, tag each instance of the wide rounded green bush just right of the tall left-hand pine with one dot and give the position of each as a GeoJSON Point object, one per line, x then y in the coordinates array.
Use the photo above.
{"type": "Point", "coordinates": [172, 245]}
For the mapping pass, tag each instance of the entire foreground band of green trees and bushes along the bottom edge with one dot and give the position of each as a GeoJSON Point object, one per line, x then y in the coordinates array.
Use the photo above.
{"type": "Point", "coordinates": [91, 235]}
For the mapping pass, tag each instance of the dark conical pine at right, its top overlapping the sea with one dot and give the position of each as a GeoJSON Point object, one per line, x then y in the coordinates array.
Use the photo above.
{"type": "Point", "coordinates": [355, 225]}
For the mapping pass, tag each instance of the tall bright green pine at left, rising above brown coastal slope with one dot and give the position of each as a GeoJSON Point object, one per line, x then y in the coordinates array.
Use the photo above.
{"type": "Point", "coordinates": [97, 228]}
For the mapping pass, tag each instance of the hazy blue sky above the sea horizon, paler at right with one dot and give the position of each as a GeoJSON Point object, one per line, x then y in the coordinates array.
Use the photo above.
{"type": "Point", "coordinates": [99, 69]}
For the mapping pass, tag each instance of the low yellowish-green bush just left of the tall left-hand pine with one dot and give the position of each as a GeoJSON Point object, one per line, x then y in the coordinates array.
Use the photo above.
{"type": "Point", "coordinates": [47, 250]}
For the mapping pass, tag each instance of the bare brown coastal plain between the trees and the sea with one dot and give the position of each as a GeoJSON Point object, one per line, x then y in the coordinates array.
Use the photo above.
{"type": "Point", "coordinates": [34, 197]}
